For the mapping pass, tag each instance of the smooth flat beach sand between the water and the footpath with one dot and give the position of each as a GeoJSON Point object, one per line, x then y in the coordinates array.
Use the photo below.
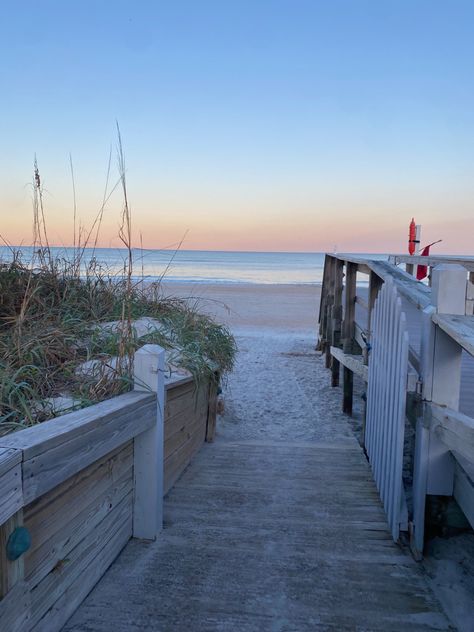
{"type": "Point", "coordinates": [246, 307]}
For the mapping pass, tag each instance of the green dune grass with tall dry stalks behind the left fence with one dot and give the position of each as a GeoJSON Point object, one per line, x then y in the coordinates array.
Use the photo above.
{"type": "Point", "coordinates": [53, 315]}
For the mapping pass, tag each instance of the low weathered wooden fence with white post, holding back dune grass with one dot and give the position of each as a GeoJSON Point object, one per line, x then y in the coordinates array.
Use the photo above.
{"type": "Point", "coordinates": [75, 489]}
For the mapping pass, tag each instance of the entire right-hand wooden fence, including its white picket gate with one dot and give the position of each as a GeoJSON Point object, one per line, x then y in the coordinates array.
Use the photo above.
{"type": "Point", "coordinates": [357, 323]}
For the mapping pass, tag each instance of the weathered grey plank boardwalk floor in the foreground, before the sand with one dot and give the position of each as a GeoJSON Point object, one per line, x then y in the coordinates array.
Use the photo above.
{"type": "Point", "coordinates": [266, 525]}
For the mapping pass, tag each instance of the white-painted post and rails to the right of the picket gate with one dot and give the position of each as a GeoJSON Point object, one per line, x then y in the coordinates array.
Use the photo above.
{"type": "Point", "coordinates": [440, 427]}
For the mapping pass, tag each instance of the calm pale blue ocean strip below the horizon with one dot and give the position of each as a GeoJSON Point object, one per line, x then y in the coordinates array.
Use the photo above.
{"type": "Point", "coordinates": [203, 266]}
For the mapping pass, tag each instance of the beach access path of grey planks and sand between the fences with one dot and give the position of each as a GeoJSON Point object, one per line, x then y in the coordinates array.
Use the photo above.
{"type": "Point", "coordinates": [277, 526]}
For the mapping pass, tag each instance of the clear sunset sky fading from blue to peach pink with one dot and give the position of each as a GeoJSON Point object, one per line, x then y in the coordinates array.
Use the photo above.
{"type": "Point", "coordinates": [279, 125]}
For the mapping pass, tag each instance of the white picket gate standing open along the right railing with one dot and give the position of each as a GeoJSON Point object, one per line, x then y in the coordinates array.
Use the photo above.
{"type": "Point", "coordinates": [386, 401]}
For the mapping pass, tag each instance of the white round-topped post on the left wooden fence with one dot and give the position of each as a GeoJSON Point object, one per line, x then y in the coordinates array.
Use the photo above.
{"type": "Point", "coordinates": [148, 460]}
